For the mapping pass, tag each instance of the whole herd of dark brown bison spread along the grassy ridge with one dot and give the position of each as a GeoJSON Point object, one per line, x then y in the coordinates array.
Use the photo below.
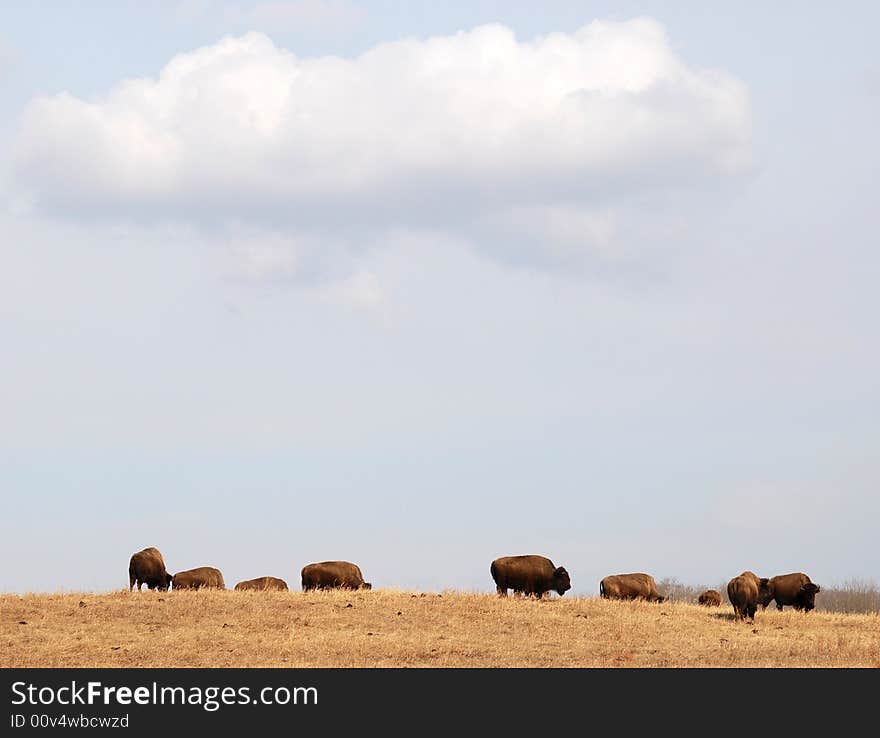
{"type": "Point", "coordinates": [526, 575]}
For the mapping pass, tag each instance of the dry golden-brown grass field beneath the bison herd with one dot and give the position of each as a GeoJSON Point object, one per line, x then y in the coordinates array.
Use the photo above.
{"type": "Point", "coordinates": [386, 628]}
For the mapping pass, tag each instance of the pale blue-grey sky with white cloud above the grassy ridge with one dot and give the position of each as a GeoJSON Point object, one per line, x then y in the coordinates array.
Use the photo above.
{"type": "Point", "coordinates": [418, 285]}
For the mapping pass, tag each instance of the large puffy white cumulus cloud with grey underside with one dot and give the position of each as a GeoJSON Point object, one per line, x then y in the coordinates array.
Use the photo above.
{"type": "Point", "coordinates": [477, 134]}
